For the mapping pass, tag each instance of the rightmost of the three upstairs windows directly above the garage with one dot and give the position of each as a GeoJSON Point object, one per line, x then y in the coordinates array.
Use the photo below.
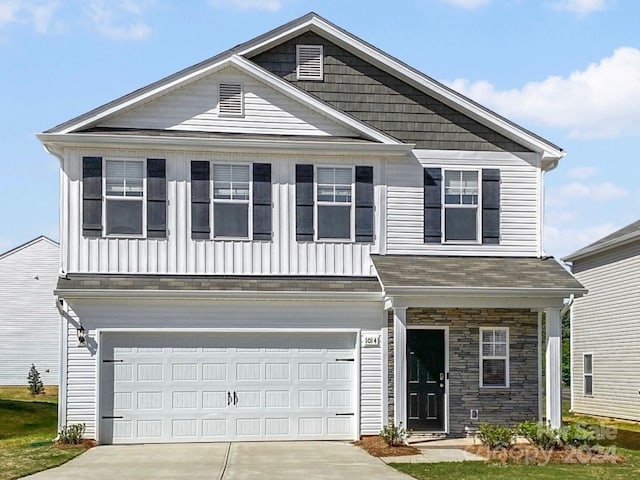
{"type": "Point", "coordinates": [334, 201]}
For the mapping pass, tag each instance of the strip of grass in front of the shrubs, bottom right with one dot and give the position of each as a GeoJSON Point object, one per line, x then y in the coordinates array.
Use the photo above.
{"type": "Point", "coordinates": [494, 471]}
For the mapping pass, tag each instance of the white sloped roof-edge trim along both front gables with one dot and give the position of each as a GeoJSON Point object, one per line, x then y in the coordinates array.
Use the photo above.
{"type": "Point", "coordinates": [312, 22]}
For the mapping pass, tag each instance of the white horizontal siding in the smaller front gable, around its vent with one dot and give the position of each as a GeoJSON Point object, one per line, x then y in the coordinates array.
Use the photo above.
{"type": "Point", "coordinates": [194, 107]}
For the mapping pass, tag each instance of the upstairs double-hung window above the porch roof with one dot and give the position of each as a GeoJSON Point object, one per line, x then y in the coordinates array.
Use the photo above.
{"type": "Point", "coordinates": [461, 199]}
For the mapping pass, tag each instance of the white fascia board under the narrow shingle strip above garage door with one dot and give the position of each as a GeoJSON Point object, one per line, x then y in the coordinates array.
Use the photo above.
{"type": "Point", "coordinates": [240, 295]}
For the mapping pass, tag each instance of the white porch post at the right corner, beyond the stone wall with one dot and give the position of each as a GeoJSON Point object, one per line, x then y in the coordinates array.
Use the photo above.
{"type": "Point", "coordinates": [553, 372]}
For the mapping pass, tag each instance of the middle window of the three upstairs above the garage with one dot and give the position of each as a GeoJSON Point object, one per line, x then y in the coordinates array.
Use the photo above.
{"type": "Point", "coordinates": [231, 201]}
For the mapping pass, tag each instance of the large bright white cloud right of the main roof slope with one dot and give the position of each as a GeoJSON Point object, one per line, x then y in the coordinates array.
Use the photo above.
{"type": "Point", "coordinates": [601, 101]}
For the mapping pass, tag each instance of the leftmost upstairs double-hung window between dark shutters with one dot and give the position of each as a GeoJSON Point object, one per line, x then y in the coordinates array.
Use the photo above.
{"type": "Point", "coordinates": [124, 197]}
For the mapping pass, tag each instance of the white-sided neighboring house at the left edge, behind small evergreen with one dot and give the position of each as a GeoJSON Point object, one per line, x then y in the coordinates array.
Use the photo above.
{"type": "Point", "coordinates": [29, 319]}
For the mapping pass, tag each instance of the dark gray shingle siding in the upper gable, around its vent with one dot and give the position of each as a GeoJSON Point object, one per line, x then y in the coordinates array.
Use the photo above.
{"type": "Point", "coordinates": [387, 103]}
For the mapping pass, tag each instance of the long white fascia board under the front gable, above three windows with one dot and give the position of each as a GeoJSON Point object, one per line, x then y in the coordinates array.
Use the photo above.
{"type": "Point", "coordinates": [100, 140]}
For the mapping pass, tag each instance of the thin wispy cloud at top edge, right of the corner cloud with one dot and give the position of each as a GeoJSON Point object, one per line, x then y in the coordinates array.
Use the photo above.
{"type": "Point", "coordinates": [113, 21]}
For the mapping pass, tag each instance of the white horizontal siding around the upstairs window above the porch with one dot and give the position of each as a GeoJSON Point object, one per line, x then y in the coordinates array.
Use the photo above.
{"type": "Point", "coordinates": [520, 200]}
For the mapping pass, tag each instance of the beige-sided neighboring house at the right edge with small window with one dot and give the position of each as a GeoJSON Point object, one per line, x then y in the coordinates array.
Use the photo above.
{"type": "Point", "coordinates": [605, 327]}
